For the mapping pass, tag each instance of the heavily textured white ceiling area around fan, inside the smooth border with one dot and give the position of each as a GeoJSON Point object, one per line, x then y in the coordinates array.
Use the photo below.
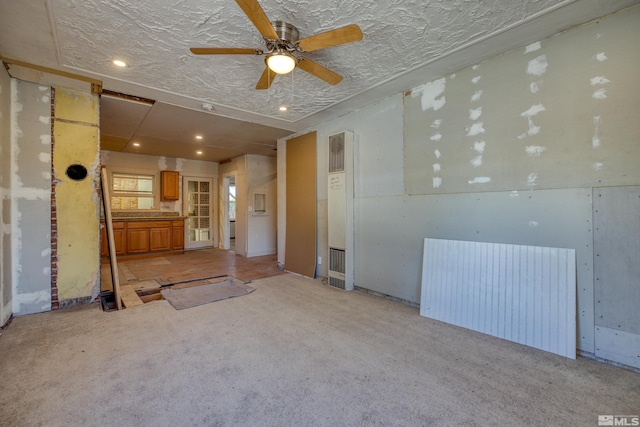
{"type": "Point", "coordinates": [155, 36]}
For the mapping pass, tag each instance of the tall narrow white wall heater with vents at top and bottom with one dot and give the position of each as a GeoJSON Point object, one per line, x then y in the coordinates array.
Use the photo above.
{"type": "Point", "coordinates": [340, 211]}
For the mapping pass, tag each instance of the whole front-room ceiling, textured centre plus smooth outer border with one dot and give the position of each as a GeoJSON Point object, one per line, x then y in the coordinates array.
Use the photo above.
{"type": "Point", "coordinates": [405, 43]}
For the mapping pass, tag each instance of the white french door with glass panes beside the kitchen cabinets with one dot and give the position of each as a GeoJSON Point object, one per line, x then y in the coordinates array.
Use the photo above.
{"type": "Point", "coordinates": [199, 224]}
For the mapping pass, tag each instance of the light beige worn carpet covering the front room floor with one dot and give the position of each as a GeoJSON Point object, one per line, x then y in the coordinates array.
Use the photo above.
{"type": "Point", "coordinates": [293, 353]}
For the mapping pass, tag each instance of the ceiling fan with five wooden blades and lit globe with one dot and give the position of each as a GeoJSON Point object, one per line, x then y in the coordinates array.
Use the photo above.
{"type": "Point", "coordinates": [283, 49]}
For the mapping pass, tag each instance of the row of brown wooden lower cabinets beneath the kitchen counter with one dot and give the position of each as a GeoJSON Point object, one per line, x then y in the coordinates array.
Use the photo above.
{"type": "Point", "coordinates": [140, 237]}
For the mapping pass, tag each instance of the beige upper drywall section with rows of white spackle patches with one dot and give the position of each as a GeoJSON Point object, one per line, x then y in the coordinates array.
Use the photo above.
{"type": "Point", "coordinates": [554, 114]}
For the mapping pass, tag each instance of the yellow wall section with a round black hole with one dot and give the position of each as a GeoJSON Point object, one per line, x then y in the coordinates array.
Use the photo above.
{"type": "Point", "coordinates": [76, 142]}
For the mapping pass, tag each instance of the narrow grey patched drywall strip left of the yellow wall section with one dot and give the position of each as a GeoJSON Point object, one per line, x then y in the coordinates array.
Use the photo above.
{"type": "Point", "coordinates": [30, 197]}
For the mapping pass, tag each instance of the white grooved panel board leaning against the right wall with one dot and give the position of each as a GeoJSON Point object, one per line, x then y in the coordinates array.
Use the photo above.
{"type": "Point", "coordinates": [525, 294]}
